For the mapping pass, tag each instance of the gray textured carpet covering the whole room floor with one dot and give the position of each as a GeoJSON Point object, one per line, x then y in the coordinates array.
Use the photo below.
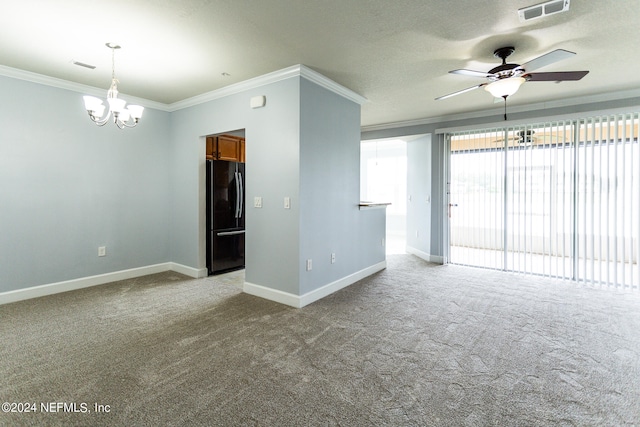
{"type": "Point", "coordinates": [416, 344]}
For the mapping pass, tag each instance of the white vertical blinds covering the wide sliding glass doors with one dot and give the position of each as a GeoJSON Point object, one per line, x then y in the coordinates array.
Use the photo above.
{"type": "Point", "coordinates": [559, 199]}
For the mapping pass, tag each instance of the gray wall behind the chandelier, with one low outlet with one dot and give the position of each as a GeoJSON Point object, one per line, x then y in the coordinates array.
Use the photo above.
{"type": "Point", "coordinates": [68, 186]}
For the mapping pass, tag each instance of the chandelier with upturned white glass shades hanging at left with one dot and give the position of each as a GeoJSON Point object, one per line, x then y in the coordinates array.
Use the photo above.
{"type": "Point", "coordinates": [122, 116]}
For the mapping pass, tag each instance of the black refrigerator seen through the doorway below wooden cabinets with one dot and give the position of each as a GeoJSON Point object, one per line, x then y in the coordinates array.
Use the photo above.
{"type": "Point", "coordinates": [225, 216]}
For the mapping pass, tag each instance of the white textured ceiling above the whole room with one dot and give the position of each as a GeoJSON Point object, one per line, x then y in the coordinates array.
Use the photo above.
{"type": "Point", "coordinates": [396, 54]}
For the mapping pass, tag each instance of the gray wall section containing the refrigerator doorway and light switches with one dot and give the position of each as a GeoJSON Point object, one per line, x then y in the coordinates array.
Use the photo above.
{"type": "Point", "coordinates": [272, 171]}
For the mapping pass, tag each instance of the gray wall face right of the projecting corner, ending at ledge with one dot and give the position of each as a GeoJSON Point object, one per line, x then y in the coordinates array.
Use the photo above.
{"type": "Point", "coordinates": [331, 221]}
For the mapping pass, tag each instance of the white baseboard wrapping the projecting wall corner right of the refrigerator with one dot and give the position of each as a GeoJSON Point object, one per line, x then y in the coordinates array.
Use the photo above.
{"type": "Point", "coordinates": [299, 301]}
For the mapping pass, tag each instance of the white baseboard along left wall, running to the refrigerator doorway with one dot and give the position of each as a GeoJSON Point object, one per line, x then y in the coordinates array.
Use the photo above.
{"type": "Point", "coordinates": [100, 279]}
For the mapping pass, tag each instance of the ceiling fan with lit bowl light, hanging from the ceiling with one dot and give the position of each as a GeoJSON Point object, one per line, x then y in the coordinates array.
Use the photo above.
{"type": "Point", "coordinates": [505, 79]}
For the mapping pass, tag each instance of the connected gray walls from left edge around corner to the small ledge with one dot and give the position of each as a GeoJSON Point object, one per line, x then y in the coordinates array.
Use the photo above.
{"type": "Point", "coordinates": [68, 187]}
